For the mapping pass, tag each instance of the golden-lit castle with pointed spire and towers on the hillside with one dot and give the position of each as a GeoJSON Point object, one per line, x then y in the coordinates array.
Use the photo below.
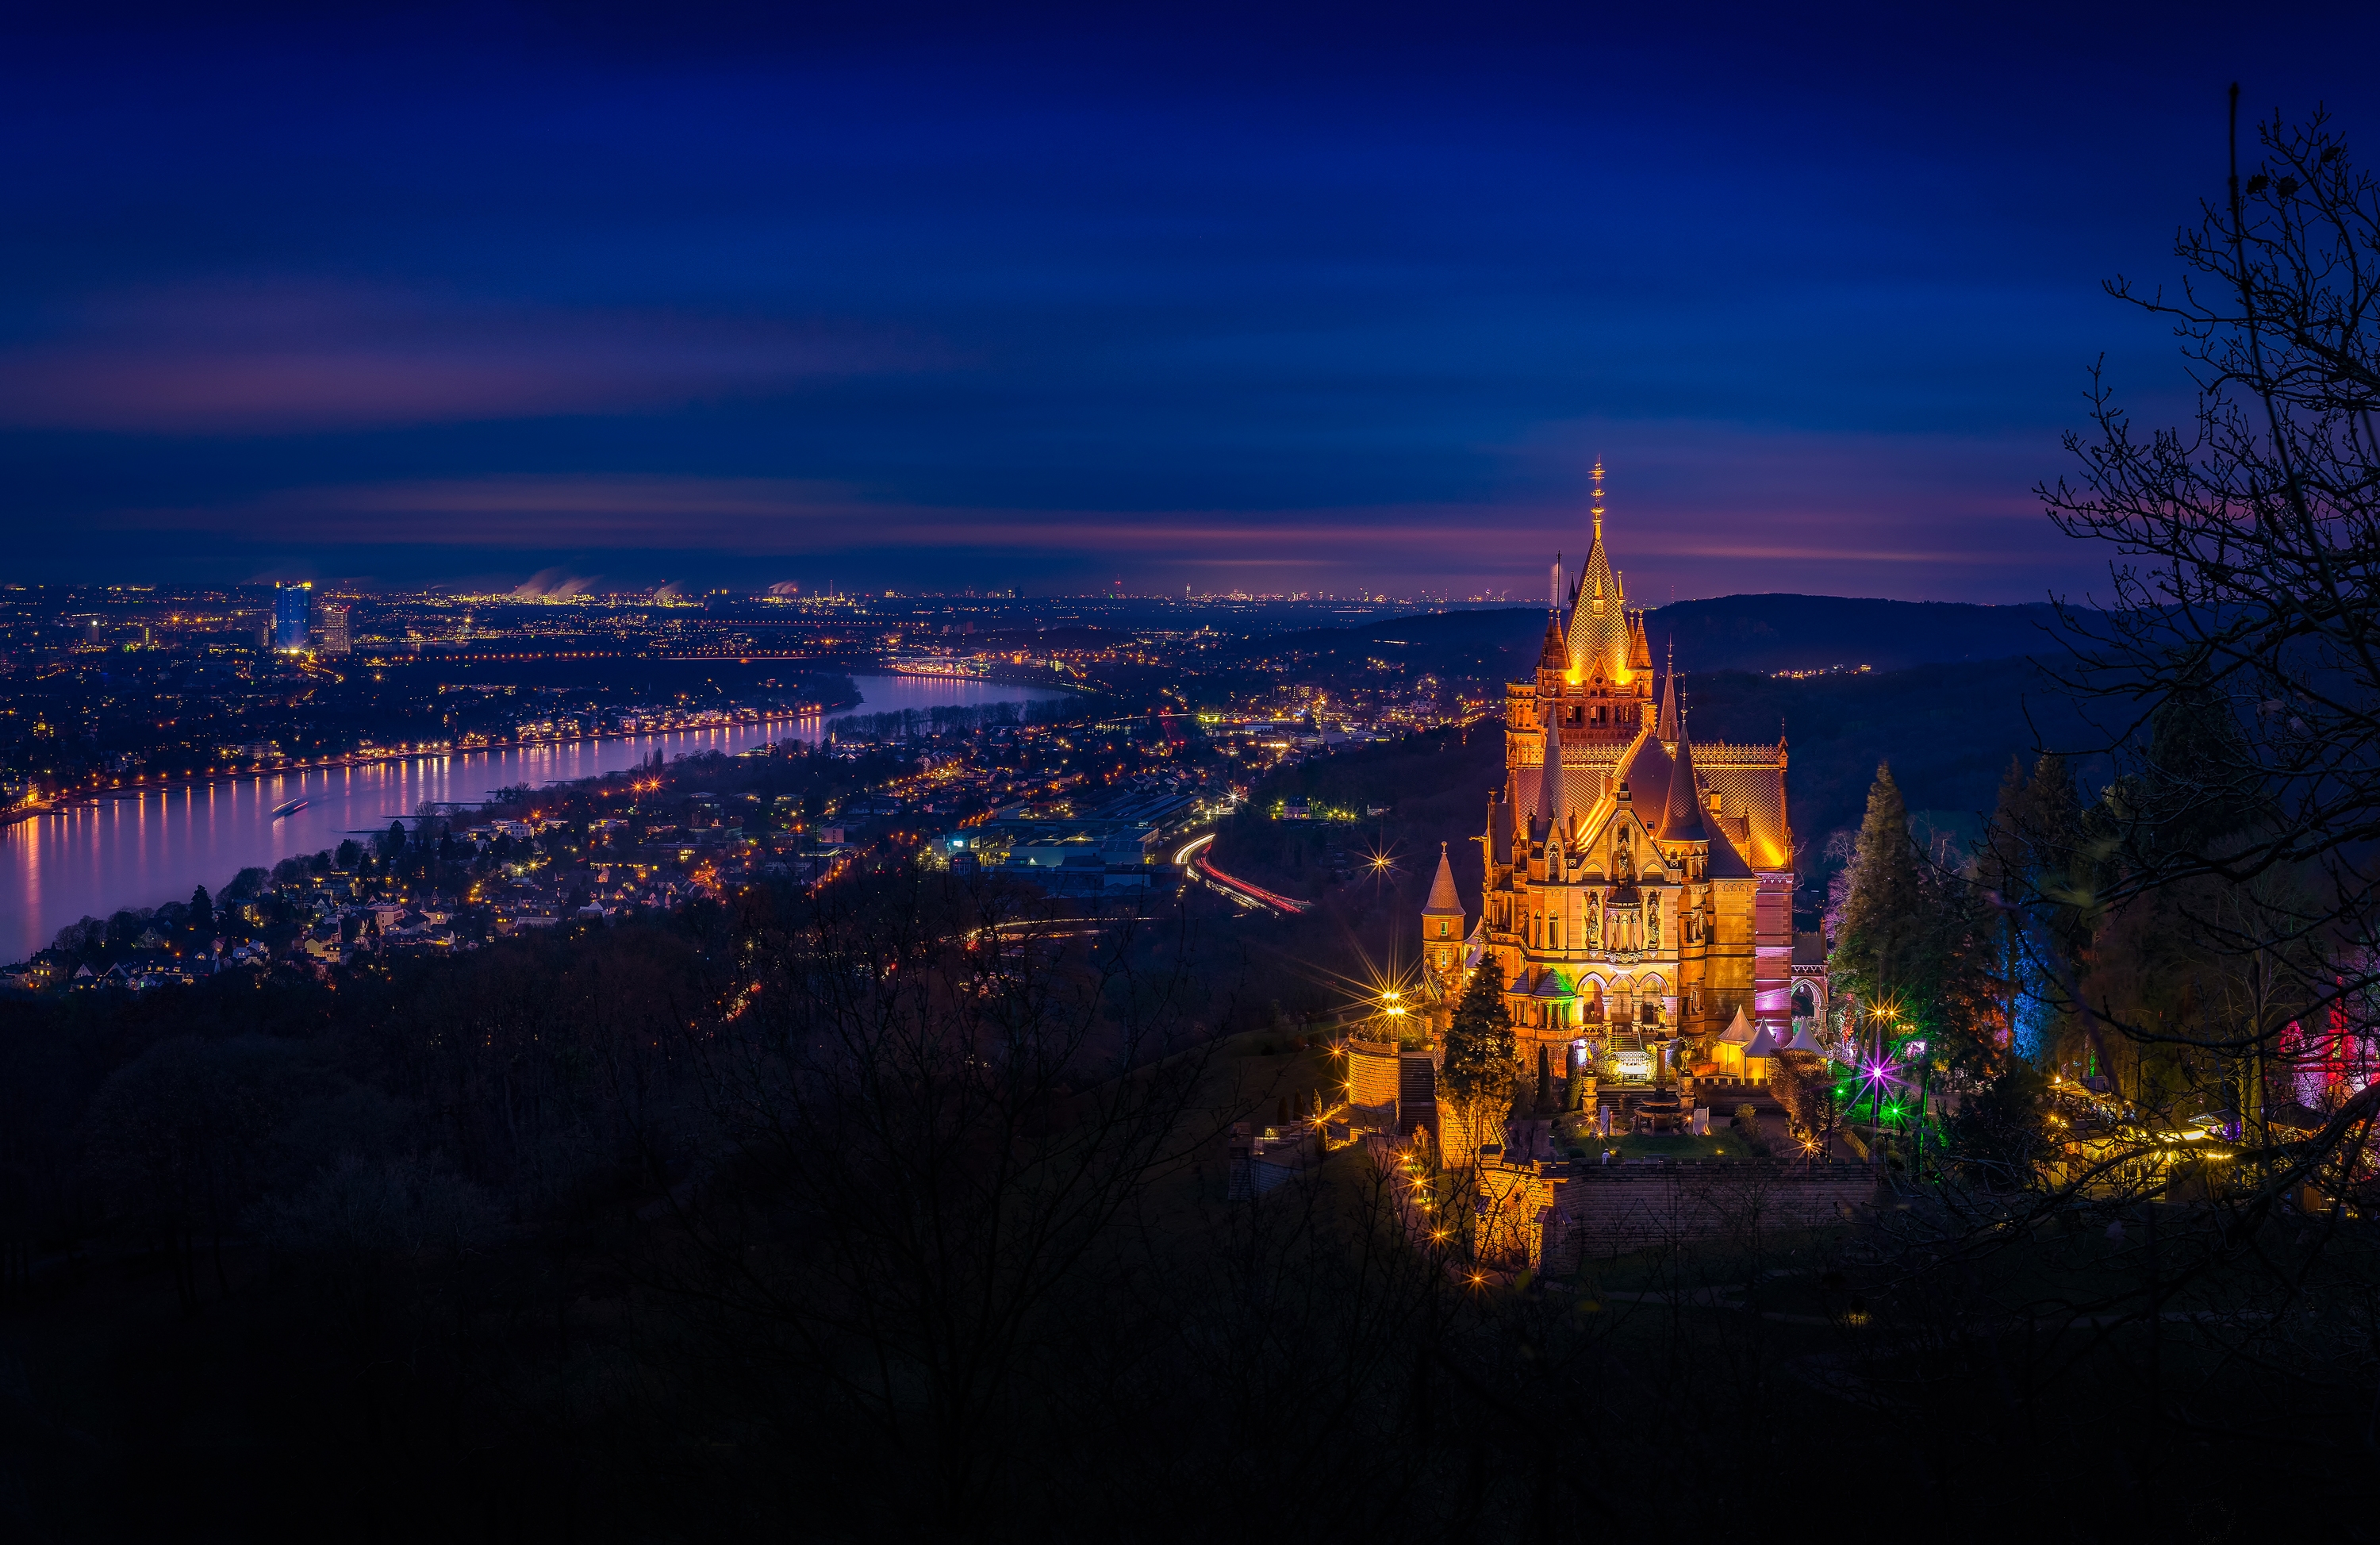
{"type": "Point", "coordinates": [1639, 884]}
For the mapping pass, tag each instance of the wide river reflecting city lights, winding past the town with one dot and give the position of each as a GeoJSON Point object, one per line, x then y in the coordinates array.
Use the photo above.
{"type": "Point", "coordinates": [156, 849]}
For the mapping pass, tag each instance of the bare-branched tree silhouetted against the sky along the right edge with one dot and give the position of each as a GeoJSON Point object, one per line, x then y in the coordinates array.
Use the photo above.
{"type": "Point", "coordinates": [2234, 670]}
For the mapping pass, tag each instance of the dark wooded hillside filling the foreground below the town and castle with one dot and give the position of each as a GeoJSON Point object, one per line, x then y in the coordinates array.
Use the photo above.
{"type": "Point", "coordinates": [901, 1215]}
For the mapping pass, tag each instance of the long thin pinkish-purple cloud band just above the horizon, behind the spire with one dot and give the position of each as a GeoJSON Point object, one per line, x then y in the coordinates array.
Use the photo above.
{"type": "Point", "coordinates": [1681, 530]}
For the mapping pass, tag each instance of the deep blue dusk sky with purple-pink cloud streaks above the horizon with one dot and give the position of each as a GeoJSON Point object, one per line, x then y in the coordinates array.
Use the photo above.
{"type": "Point", "coordinates": [1006, 296]}
